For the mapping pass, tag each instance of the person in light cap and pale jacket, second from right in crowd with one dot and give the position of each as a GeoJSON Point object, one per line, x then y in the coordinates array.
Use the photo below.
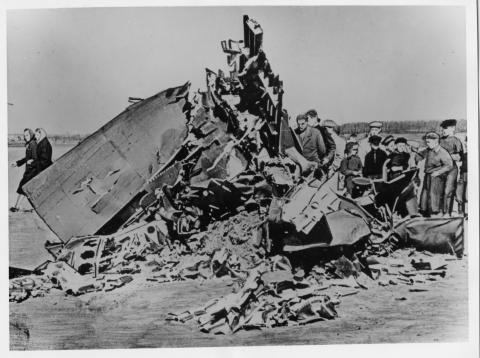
{"type": "Point", "coordinates": [437, 165]}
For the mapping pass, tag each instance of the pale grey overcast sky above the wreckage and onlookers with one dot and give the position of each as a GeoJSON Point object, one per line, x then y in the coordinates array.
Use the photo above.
{"type": "Point", "coordinates": [72, 70]}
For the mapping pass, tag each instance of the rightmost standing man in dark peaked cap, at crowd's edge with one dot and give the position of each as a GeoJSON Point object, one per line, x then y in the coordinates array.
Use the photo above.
{"type": "Point", "coordinates": [454, 147]}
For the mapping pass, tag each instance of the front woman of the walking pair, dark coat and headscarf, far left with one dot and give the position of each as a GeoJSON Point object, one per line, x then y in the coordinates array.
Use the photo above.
{"type": "Point", "coordinates": [31, 165]}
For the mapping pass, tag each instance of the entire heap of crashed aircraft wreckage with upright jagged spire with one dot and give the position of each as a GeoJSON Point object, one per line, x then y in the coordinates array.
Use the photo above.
{"type": "Point", "coordinates": [228, 200]}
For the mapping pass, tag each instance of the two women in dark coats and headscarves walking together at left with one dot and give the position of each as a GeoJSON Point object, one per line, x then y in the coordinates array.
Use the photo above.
{"type": "Point", "coordinates": [38, 156]}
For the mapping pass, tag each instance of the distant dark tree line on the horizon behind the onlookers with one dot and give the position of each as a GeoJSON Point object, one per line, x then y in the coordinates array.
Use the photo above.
{"type": "Point", "coordinates": [400, 126]}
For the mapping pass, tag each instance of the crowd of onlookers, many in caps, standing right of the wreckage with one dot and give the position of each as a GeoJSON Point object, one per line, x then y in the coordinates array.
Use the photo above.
{"type": "Point", "coordinates": [385, 158]}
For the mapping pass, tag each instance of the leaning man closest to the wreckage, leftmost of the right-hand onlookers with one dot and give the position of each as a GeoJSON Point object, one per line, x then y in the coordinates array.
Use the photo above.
{"type": "Point", "coordinates": [312, 144]}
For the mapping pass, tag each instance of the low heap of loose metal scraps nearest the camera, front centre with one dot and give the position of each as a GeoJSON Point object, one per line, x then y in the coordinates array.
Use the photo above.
{"type": "Point", "coordinates": [271, 296]}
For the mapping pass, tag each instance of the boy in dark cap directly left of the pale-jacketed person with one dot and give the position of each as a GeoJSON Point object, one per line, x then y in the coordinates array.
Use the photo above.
{"type": "Point", "coordinates": [399, 161]}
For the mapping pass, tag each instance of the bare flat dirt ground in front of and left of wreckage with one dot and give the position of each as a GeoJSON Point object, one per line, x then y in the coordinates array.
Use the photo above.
{"type": "Point", "coordinates": [134, 315]}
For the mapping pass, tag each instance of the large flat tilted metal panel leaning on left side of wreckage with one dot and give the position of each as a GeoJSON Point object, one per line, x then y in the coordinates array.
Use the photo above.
{"type": "Point", "coordinates": [88, 186]}
